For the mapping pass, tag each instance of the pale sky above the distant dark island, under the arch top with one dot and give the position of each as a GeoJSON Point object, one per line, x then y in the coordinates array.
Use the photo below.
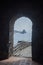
{"type": "Point", "coordinates": [23, 23]}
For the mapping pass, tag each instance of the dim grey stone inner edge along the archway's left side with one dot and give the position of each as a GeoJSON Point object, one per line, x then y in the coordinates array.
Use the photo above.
{"type": "Point", "coordinates": [11, 33]}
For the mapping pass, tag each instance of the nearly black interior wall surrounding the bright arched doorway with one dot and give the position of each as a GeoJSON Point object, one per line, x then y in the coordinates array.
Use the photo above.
{"type": "Point", "coordinates": [29, 9]}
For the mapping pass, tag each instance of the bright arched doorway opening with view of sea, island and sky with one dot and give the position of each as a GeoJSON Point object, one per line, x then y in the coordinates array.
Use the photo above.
{"type": "Point", "coordinates": [22, 38]}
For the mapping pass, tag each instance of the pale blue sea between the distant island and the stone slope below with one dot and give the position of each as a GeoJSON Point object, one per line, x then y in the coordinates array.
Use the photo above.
{"type": "Point", "coordinates": [22, 37]}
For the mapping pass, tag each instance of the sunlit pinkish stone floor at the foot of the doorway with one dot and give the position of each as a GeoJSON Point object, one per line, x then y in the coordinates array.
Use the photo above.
{"type": "Point", "coordinates": [18, 61]}
